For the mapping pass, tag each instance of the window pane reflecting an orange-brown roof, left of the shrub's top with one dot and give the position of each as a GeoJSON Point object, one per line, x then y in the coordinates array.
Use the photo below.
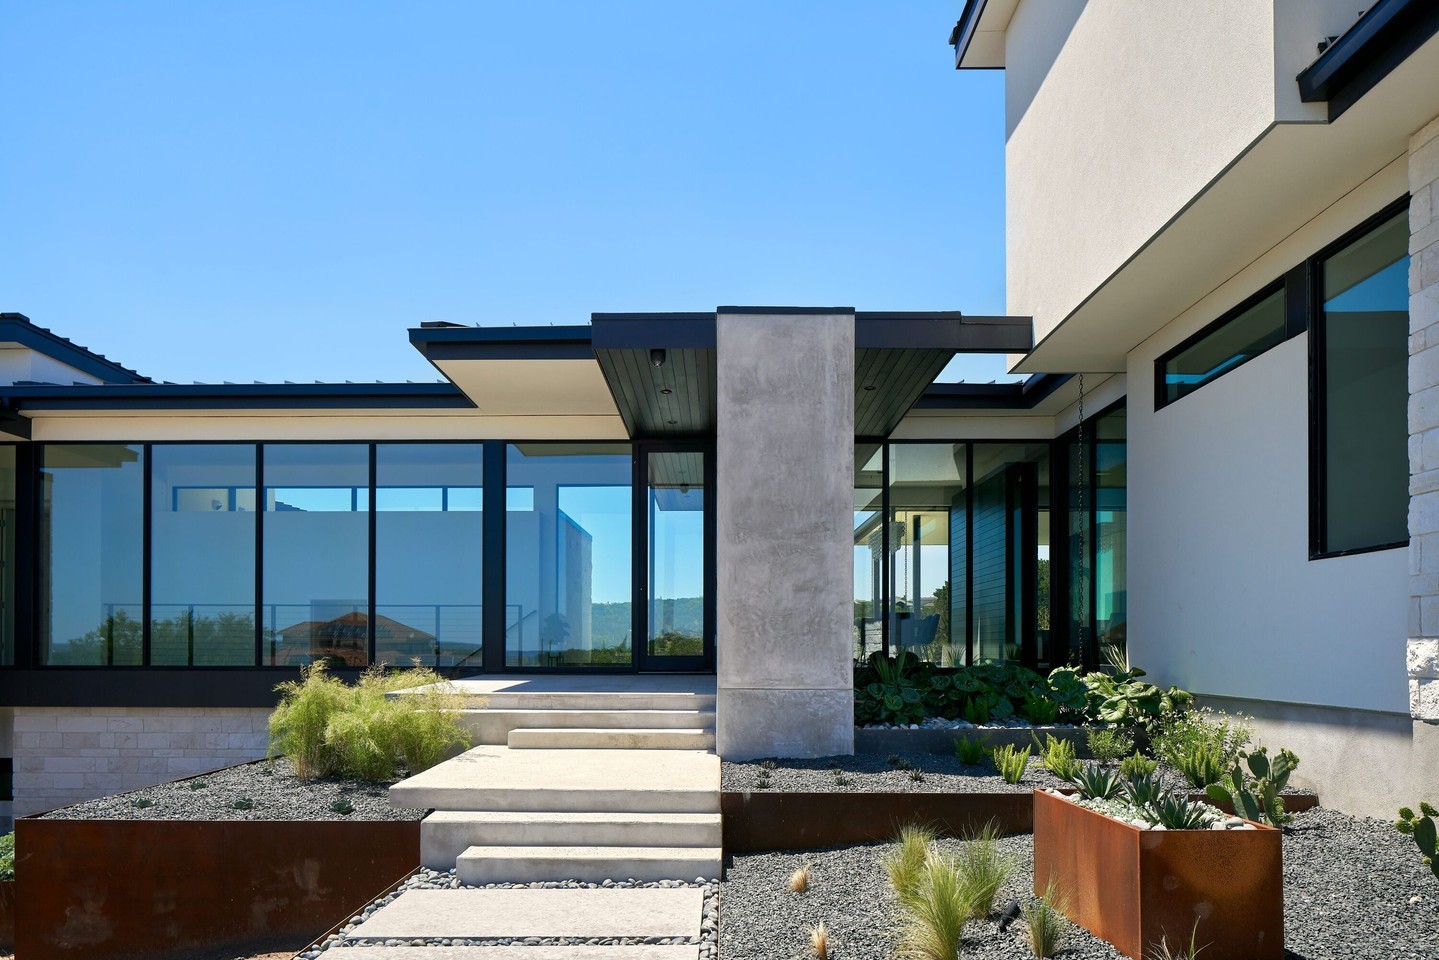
{"type": "Point", "coordinates": [316, 601]}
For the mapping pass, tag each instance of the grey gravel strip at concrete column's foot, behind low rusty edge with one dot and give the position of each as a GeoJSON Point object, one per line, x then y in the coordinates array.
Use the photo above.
{"type": "Point", "coordinates": [894, 774]}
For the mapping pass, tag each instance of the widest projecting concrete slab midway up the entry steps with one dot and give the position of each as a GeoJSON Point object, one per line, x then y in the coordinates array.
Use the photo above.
{"type": "Point", "coordinates": [494, 778]}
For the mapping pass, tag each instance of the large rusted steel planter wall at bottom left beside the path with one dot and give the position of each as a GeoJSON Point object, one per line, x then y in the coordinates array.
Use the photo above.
{"type": "Point", "coordinates": [122, 890]}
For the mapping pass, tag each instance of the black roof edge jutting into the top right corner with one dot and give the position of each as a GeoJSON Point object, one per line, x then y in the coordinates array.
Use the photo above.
{"type": "Point", "coordinates": [1368, 53]}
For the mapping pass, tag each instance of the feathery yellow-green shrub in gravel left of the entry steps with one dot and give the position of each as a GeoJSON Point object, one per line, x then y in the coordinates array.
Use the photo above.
{"type": "Point", "coordinates": [329, 728]}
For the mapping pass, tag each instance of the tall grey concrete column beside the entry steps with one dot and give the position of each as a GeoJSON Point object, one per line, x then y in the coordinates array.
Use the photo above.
{"type": "Point", "coordinates": [785, 548]}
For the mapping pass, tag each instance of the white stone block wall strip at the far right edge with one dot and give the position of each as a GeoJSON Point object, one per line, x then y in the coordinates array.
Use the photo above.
{"type": "Point", "coordinates": [1424, 424]}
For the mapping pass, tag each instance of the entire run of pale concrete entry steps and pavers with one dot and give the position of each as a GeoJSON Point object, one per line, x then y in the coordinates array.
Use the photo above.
{"type": "Point", "coordinates": [566, 785]}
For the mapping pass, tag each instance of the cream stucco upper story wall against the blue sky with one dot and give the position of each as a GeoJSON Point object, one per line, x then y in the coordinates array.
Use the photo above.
{"type": "Point", "coordinates": [1122, 113]}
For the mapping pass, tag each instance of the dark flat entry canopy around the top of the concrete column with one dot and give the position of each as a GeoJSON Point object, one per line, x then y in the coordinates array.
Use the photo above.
{"type": "Point", "coordinates": [658, 372]}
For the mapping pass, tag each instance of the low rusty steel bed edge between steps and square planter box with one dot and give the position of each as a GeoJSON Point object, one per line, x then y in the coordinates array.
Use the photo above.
{"type": "Point", "coordinates": [765, 821]}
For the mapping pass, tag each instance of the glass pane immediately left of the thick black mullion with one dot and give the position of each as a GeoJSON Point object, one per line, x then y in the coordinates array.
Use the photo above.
{"type": "Point", "coordinates": [428, 553]}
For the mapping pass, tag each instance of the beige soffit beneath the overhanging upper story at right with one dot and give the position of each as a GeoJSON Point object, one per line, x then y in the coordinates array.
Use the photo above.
{"type": "Point", "coordinates": [1286, 178]}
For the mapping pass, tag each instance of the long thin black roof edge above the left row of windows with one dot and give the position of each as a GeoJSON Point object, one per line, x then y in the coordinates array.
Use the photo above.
{"type": "Point", "coordinates": [235, 397]}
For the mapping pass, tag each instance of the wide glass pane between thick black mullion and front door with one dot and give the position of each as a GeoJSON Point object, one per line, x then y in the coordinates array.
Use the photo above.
{"type": "Point", "coordinates": [569, 556]}
